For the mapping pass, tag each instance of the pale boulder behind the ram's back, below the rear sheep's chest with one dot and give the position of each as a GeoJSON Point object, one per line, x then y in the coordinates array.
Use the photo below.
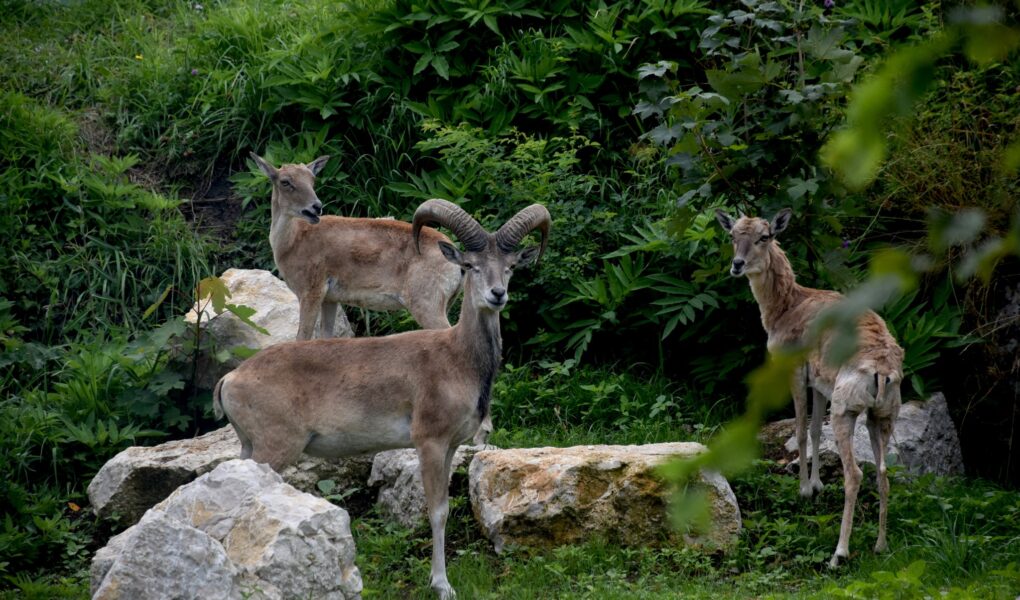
{"type": "Point", "coordinates": [276, 311]}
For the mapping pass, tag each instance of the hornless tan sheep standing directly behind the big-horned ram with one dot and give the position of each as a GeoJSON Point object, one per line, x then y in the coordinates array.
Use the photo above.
{"type": "Point", "coordinates": [367, 263]}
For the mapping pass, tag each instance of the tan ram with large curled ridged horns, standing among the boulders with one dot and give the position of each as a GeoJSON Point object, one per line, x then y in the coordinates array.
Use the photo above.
{"type": "Point", "coordinates": [425, 389]}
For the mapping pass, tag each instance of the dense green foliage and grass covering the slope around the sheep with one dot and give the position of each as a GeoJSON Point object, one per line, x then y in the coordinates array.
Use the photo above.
{"type": "Point", "coordinates": [125, 125]}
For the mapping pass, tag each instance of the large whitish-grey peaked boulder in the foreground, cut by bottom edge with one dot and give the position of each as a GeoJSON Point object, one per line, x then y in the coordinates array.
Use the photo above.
{"type": "Point", "coordinates": [237, 532]}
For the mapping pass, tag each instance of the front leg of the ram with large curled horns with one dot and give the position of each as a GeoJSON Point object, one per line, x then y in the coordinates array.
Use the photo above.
{"type": "Point", "coordinates": [436, 459]}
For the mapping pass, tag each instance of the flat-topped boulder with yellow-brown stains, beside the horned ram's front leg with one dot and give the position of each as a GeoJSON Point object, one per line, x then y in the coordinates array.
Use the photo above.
{"type": "Point", "coordinates": [544, 497]}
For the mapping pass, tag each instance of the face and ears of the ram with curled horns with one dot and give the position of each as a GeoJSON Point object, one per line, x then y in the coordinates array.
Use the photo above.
{"type": "Point", "coordinates": [487, 274]}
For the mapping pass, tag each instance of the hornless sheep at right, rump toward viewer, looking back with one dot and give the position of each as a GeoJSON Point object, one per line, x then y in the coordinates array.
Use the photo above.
{"type": "Point", "coordinates": [869, 383]}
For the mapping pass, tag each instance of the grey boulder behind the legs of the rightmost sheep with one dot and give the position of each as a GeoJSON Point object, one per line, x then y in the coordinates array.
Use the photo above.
{"type": "Point", "coordinates": [925, 441]}
